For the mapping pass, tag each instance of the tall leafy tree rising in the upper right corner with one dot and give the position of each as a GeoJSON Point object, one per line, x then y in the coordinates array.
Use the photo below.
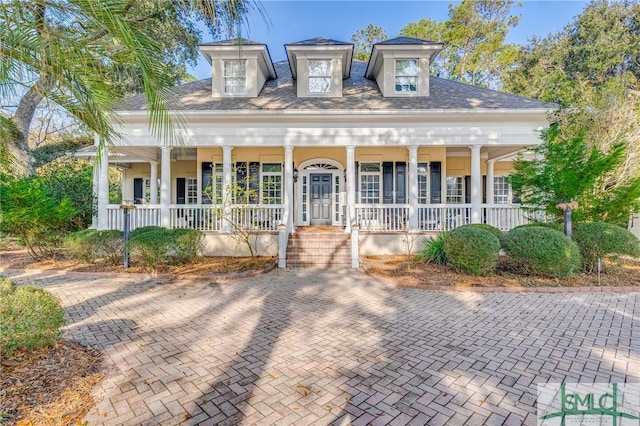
{"type": "Point", "coordinates": [591, 68]}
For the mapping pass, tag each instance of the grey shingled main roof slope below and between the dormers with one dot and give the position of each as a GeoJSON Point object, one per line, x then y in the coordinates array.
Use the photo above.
{"type": "Point", "coordinates": [359, 94]}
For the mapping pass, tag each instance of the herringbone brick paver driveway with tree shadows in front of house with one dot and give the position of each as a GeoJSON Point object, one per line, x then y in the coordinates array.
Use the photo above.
{"type": "Point", "coordinates": [323, 347]}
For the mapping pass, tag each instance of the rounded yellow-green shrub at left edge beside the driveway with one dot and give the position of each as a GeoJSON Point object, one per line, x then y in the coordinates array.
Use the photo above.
{"type": "Point", "coordinates": [30, 317]}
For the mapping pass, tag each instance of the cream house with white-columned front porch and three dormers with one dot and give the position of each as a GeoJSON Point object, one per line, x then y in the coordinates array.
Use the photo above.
{"type": "Point", "coordinates": [378, 149]}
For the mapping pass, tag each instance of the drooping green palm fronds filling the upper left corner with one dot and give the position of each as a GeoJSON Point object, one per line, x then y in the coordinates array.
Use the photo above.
{"type": "Point", "coordinates": [85, 55]}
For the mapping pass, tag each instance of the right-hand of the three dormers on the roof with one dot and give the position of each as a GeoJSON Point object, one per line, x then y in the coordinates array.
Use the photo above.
{"type": "Point", "coordinates": [400, 66]}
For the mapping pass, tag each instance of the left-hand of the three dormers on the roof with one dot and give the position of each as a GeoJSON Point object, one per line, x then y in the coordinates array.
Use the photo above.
{"type": "Point", "coordinates": [239, 67]}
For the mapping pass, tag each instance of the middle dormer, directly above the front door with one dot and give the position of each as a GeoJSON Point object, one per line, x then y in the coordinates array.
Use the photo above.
{"type": "Point", "coordinates": [319, 65]}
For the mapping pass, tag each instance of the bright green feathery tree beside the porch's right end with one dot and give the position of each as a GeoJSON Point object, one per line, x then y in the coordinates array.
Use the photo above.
{"type": "Point", "coordinates": [567, 168]}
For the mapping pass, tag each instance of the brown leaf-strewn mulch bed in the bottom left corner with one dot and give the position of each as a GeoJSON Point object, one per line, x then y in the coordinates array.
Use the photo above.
{"type": "Point", "coordinates": [48, 386]}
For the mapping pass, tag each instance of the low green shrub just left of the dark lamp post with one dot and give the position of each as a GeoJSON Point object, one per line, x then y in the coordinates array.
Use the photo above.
{"type": "Point", "coordinates": [89, 245]}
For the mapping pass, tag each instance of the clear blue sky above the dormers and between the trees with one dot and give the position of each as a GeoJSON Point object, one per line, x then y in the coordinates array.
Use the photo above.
{"type": "Point", "coordinates": [296, 20]}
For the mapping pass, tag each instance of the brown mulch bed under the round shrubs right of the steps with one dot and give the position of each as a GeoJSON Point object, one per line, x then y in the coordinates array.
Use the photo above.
{"type": "Point", "coordinates": [407, 272]}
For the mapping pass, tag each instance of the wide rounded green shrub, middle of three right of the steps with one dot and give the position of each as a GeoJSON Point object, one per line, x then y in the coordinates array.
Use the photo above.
{"type": "Point", "coordinates": [537, 250]}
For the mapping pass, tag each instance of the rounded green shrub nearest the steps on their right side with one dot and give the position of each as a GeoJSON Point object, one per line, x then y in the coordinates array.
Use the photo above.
{"type": "Point", "coordinates": [472, 250]}
